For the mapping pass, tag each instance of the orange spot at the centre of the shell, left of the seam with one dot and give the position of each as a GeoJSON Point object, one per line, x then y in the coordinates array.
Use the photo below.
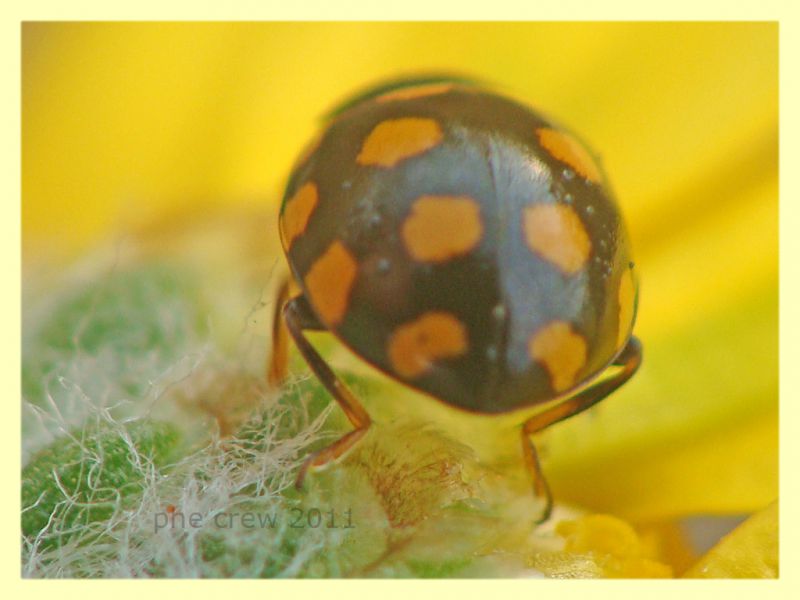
{"type": "Point", "coordinates": [442, 227]}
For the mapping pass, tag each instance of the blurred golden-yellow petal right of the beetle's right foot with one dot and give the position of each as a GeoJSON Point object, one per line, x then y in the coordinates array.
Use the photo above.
{"type": "Point", "coordinates": [730, 471]}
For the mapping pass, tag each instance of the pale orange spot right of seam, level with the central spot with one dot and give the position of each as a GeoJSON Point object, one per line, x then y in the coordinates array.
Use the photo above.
{"type": "Point", "coordinates": [556, 232]}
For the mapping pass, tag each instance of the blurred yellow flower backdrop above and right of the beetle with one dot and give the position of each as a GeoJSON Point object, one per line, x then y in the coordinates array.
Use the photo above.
{"type": "Point", "coordinates": [126, 123]}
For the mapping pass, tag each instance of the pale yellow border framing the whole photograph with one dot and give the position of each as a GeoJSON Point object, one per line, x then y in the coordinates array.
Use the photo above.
{"type": "Point", "coordinates": [413, 9]}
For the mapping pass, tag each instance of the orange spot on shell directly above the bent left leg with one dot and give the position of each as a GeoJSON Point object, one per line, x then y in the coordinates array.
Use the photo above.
{"type": "Point", "coordinates": [329, 282]}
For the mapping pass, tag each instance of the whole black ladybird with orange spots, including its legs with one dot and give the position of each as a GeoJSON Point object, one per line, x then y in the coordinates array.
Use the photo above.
{"type": "Point", "coordinates": [464, 245]}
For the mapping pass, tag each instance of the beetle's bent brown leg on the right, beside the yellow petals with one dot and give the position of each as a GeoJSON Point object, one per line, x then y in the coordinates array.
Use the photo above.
{"type": "Point", "coordinates": [629, 360]}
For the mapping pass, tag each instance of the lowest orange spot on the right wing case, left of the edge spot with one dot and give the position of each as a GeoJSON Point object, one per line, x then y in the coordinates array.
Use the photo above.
{"type": "Point", "coordinates": [561, 351]}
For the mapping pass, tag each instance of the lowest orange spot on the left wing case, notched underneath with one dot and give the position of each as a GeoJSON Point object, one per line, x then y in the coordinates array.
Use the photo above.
{"type": "Point", "coordinates": [416, 345]}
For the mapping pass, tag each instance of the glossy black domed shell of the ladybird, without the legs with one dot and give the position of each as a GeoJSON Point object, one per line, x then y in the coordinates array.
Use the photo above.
{"type": "Point", "coordinates": [501, 291]}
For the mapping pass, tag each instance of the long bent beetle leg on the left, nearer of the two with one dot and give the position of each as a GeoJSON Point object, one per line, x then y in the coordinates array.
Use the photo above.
{"type": "Point", "coordinates": [298, 316]}
